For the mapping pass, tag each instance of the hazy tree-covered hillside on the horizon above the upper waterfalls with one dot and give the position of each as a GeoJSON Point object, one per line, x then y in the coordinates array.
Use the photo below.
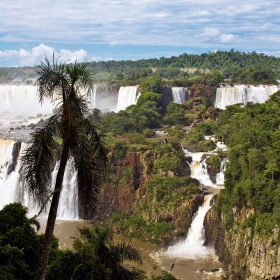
{"type": "Point", "coordinates": [182, 66]}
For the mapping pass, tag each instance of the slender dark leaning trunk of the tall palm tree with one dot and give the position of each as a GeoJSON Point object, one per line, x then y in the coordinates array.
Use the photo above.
{"type": "Point", "coordinates": [42, 270]}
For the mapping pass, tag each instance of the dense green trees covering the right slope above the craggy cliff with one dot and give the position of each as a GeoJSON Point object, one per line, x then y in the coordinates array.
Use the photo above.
{"type": "Point", "coordinates": [252, 176]}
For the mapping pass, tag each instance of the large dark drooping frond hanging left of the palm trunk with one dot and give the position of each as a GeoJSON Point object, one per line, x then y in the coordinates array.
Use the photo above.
{"type": "Point", "coordinates": [37, 161]}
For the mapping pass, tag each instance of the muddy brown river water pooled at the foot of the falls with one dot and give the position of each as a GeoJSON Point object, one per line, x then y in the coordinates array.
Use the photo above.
{"type": "Point", "coordinates": [154, 258]}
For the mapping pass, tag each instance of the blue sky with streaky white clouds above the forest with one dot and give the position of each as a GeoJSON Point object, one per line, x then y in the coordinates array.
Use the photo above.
{"type": "Point", "coordinates": [96, 30]}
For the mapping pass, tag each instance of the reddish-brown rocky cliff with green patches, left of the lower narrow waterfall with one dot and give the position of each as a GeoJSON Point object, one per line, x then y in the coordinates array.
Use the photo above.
{"type": "Point", "coordinates": [127, 190]}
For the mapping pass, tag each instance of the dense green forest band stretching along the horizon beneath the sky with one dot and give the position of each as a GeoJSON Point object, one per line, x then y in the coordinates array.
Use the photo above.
{"type": "Point", "coordinates": [184, 69]}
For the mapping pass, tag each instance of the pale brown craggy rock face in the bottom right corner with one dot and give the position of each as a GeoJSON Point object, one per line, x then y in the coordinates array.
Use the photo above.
{"type": "Point", "coordinates": [245, 253]}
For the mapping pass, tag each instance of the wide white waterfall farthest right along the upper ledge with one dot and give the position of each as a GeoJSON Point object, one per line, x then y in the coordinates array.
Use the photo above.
{"type": "Point", "coordinates": [242, 94]}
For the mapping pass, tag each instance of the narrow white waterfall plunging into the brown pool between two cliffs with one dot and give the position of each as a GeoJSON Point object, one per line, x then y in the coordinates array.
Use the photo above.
{"type": "Point", "coordinates": [192, 247]}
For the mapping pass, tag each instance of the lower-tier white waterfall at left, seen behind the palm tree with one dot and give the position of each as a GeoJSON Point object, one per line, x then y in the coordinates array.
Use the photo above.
{"type": "Point", "coordinates": [12, 190]}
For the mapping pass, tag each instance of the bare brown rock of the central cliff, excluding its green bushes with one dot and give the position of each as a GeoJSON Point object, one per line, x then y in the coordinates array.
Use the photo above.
{"type": "Point", "coordinates": [126, 190]}
